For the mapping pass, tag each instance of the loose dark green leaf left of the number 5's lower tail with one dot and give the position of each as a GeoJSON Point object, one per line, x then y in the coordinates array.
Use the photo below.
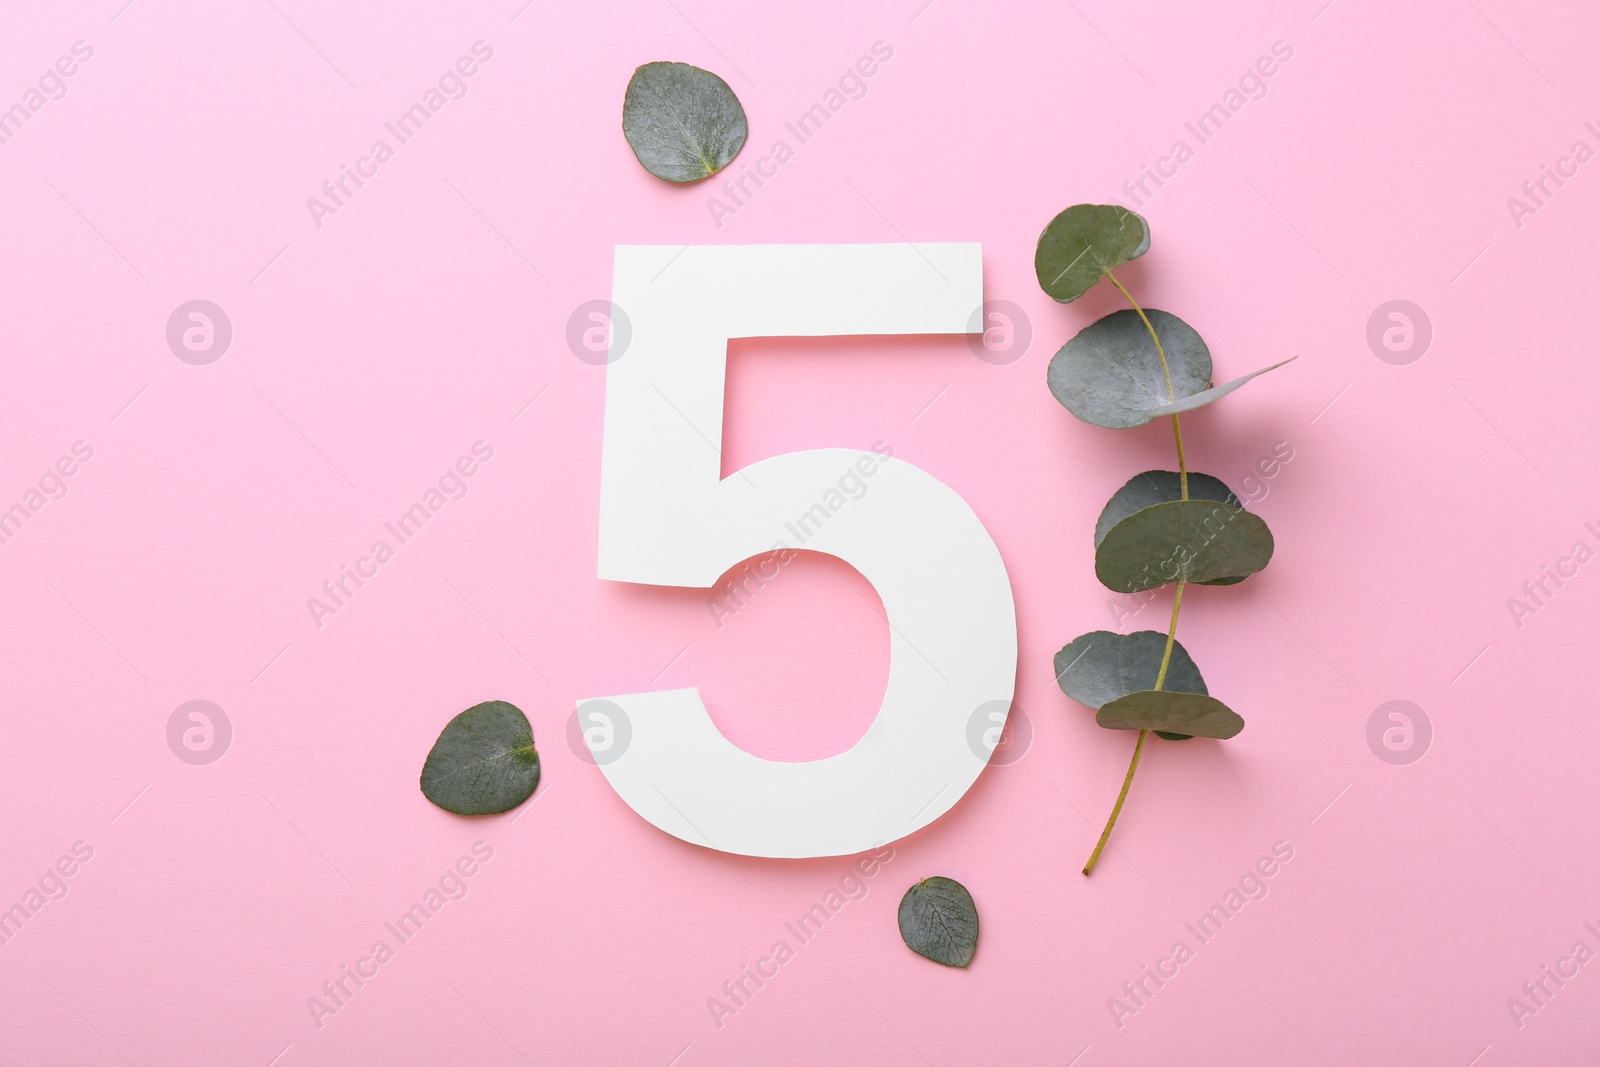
{"type": "Point", "coordinates": [484, 762]}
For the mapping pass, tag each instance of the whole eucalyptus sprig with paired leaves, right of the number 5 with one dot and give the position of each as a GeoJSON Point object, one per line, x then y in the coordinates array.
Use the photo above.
{"type": "Point", "coordinates": [1162, 527]}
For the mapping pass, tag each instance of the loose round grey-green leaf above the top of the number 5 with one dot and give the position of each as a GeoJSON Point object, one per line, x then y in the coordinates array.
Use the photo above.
{"type": "Point", "coordinates": [684, 124]}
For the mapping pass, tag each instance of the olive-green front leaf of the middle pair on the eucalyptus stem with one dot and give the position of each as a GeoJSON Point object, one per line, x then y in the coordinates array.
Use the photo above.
{"type": "Point", "coordinates": [1196, 540]}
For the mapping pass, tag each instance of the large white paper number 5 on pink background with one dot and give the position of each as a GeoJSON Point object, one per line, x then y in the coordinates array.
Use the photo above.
{"type": "Point", "coordinates": [668, 518]}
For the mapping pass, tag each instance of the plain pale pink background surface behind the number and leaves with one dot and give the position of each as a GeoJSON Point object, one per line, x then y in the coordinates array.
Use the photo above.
{"type": "Point", "coordinates": [372, 351]}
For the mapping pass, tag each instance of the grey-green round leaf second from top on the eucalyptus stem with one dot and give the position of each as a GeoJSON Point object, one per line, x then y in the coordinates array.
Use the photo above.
{"type": "Point", "coordinates": [1111, 374]}
